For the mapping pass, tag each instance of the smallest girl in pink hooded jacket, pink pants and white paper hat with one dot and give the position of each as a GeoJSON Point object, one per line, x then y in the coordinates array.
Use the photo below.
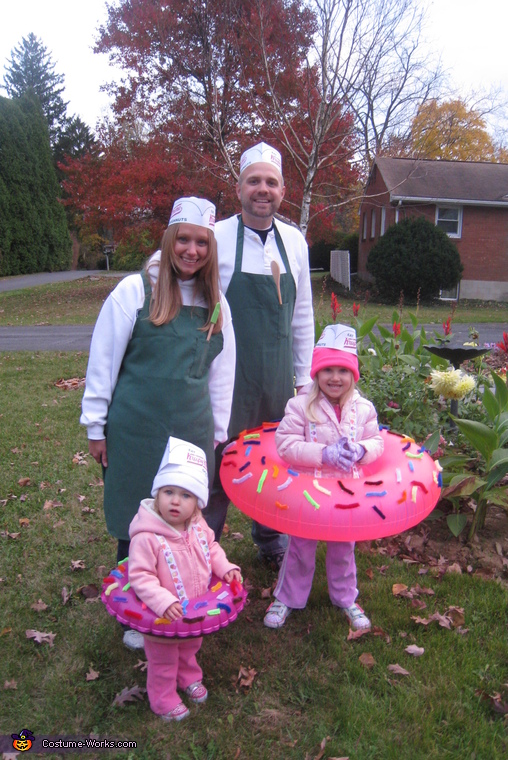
{"type": "Point", "coordinates": [172, 555]}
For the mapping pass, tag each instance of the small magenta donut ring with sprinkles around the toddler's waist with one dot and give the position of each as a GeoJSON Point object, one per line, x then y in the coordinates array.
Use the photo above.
{"type": "Point", "coordinates": [203, 614]}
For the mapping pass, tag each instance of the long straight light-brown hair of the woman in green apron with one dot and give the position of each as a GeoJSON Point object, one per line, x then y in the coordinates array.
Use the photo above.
{"type": "Point", "coordinates": [166, 300]}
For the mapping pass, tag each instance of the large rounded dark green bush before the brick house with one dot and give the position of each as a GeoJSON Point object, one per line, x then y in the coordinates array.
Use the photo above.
{"type": "Point", "coordinates": [415, 257]}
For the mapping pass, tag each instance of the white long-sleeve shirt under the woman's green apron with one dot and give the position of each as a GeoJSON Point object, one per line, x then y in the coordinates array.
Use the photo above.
{"type": "Point", "coordinates": [111, 335]}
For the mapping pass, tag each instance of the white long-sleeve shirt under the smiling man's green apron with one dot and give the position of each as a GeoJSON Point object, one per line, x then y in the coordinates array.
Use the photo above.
{"type": "Point", "coordinates": [256, 260]}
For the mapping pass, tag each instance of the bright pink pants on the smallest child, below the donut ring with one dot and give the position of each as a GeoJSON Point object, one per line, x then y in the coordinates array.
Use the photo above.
{"type": "Point", "coordinates": [171, 663]}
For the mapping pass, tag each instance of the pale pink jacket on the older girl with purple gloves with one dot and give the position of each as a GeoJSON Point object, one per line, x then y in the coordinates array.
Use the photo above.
{"type": "Point", "coordinates": [294, 440]}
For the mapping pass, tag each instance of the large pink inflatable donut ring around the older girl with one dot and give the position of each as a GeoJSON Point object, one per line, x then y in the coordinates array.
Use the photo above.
{"type": "Point", "coordinates": [394, 493]}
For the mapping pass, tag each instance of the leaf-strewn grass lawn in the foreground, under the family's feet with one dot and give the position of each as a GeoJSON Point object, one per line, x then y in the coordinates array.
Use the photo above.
{"type": "Point", "coordinates": [310, 694]}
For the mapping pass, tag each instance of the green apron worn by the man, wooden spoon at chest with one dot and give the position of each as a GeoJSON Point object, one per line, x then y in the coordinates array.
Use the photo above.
{"type": "Point", "coordinates": [264, 379]}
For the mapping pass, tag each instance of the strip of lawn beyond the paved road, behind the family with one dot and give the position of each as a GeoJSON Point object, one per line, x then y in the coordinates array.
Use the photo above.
{"type": "Point", "coordinates": [79, 302]}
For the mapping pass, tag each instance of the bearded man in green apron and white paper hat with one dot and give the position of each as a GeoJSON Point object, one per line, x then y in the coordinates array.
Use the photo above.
{"type": "Point", "coordinates": [274, 338]}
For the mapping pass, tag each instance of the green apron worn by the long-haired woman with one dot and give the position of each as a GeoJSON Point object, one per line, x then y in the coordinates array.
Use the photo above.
{"type": "Point", "coordinates": [162, 390]}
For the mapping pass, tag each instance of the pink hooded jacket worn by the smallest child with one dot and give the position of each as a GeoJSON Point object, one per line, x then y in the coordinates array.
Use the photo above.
{"type": "Point", "coordinates": [149, 574]}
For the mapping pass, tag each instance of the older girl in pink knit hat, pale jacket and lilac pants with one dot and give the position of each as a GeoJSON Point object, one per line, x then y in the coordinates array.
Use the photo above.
{"type": "Point", "coordinates": [328, 427]}
